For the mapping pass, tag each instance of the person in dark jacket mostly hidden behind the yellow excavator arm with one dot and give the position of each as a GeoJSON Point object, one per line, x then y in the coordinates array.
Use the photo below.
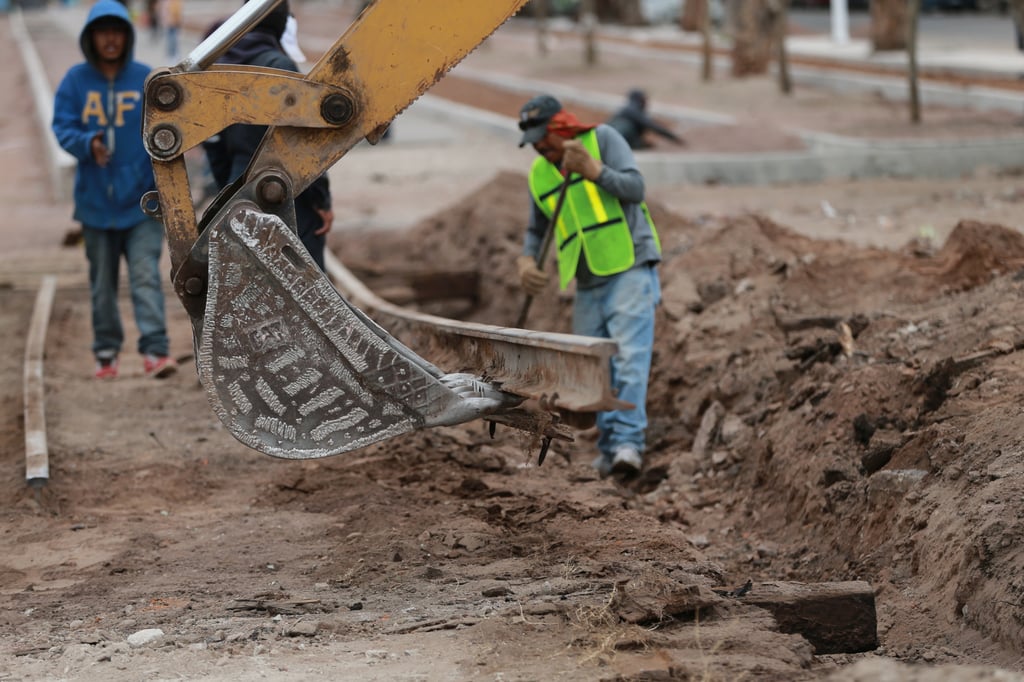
{"type": "Point", "coordinates": [231, 152]}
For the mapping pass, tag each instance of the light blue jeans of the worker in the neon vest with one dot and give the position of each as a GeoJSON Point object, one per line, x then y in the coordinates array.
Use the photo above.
{"type": "Point", "coordinates": [623, 310]}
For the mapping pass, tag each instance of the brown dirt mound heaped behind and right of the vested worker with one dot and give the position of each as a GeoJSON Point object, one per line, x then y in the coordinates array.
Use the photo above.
{"type": "Point", "coordinates": [819, 412]}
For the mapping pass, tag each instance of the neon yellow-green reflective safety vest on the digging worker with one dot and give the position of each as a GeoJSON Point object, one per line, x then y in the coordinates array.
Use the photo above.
{"type": "Point", "coordinates": [591, 222]}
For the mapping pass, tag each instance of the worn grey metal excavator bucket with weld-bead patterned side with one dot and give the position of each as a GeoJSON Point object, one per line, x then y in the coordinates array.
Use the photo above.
{"type": "Point", "coordinates": [290, 367]}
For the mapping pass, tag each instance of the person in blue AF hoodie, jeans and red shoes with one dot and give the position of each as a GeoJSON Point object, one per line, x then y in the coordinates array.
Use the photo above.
{"type": "Point", "coordinates": [98, 118]}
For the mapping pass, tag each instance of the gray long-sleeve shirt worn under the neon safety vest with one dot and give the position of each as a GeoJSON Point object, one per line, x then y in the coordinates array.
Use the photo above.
{"type": "Point", "coordinates": [620, 178]}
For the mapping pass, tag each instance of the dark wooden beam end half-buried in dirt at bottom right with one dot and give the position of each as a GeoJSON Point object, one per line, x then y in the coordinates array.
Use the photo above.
{"type": "Point", "coordinates": [835, 618]}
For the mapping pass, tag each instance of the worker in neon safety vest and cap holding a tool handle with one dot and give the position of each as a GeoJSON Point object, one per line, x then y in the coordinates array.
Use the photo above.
{"type": "Point", "coordinates": [586, 187]}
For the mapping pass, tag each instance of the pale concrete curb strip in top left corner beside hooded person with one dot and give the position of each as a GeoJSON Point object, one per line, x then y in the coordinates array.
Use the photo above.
{"type": "Point", "coordinates": [63, 165]}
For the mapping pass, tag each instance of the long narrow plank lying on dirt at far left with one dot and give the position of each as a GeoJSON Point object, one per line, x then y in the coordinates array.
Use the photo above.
{"type": "Point", "coordinates": [37, 466]}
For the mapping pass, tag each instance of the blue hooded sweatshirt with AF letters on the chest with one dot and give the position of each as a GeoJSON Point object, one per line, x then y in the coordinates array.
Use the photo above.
{"type": "Point", "coordinates": [88, 103]}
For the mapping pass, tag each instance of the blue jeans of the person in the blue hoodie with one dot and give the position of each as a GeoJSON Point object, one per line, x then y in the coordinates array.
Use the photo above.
{"type": "Point", "coordinates": [142, 247]}
